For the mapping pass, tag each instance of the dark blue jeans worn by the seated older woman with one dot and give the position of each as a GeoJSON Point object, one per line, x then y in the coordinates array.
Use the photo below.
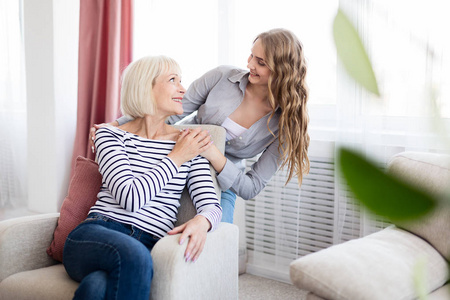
{"type": "Point", "coordinates": [111, 260]}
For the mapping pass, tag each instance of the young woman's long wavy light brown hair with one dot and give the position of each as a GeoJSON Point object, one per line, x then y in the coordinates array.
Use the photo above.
{"type": "Point", "coordinates": [288, 91]}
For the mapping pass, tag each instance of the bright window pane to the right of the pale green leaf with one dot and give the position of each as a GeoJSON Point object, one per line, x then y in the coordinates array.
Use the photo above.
{"type": "Point", "coordinates": [409, 54]}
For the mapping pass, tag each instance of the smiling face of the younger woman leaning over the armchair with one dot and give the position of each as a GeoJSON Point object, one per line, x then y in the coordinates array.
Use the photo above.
{"type": "Point", "coordinates": [259, 72]}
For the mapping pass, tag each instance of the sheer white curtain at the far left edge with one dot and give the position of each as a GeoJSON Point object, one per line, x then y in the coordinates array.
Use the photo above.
{"type": "Point", "coordinates": [13, 132]}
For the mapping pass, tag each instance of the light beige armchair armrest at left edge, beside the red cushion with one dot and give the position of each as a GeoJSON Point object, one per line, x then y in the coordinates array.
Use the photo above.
{"type": "Point", "coordinates": [23, 243]}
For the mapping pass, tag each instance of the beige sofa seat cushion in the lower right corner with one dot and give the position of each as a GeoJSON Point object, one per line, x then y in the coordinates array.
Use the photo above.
{"type": "Point", "coordinates": [378, 266]}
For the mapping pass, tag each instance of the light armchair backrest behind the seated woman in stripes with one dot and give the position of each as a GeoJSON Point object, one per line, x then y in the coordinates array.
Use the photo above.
{"type": "Point", "coordinates": [186, 210]}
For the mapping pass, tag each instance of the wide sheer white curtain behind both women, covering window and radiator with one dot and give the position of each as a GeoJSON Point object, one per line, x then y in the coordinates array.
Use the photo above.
{"type": "Point", "coordinates": [407, 45]}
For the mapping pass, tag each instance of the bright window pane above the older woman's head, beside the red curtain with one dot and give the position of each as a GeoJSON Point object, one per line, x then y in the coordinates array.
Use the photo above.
{"type": "Point", "coordinates": [184, 30]}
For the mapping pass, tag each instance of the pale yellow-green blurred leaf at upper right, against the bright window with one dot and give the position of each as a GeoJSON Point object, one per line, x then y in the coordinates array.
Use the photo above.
{"type": "Point", "coordinates": [351, 52]}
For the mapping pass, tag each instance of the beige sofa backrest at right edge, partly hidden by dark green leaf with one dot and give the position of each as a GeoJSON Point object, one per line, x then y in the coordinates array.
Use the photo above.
{"type": "Point", "coordinates": [431, 172]}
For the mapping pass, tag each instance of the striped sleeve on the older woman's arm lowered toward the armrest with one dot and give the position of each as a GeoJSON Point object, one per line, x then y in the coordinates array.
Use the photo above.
{"type": "Point", "coordinates": [202, 192]}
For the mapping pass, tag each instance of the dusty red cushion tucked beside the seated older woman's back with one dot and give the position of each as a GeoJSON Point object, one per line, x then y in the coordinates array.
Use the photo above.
{"type": "Point", "coordinates": [83, 189]}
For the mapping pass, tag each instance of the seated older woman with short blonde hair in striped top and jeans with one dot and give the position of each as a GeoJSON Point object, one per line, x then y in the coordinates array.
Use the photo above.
{"type": "Point", "coordinates": [145, 165]}
